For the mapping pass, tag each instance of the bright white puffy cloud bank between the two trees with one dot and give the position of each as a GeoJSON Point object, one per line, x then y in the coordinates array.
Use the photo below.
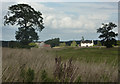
{"type": "Point", "coordinates": [69, 22]}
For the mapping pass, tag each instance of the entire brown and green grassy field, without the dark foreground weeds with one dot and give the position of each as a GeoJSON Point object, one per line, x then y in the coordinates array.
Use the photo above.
{"type": "Point", "coordinates": [94, 64]}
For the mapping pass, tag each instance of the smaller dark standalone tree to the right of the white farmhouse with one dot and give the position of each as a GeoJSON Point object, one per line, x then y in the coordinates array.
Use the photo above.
{"type": "Point", "coordinates": [107, 35]}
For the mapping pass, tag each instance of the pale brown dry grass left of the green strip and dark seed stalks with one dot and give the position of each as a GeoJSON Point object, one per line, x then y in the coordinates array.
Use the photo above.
{"type": "Point", "coordinates": [36, 59]}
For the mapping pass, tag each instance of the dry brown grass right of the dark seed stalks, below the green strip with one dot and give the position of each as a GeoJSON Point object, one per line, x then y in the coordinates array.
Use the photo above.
{"type": "Point", "coordinates": [102, 72]}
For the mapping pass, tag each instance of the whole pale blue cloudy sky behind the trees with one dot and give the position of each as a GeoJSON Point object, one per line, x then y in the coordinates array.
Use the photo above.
{"type": "Point", "coordinates": [67, 20]}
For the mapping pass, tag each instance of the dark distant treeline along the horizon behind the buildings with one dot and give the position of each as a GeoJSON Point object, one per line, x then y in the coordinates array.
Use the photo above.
{"type": "Point", "coordinates": [53, 42]}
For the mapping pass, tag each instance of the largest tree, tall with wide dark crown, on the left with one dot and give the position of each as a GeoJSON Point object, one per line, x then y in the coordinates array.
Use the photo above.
{"type": "Point", "coordinates": [28, 21]}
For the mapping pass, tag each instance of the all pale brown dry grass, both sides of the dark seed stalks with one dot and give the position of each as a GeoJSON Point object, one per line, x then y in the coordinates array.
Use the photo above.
{"type": "Point", "coordinates": [39, 59]}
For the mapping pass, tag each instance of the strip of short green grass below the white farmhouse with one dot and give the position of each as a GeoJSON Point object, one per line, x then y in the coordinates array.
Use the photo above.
{"type": "Point", "coordinates": [97, 55]}
